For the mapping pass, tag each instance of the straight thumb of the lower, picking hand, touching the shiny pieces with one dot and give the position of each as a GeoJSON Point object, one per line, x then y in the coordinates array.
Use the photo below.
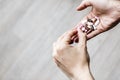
{"type": "Point", "coordinates": [82, 38]}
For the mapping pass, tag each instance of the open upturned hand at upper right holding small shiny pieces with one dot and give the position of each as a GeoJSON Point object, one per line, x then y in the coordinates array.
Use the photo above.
{"type": "Point", "coordinates": [107, 10]}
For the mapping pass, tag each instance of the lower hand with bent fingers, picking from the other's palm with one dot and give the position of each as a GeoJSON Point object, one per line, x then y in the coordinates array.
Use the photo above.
{"type": "Point", "coordinates": [72, 60]}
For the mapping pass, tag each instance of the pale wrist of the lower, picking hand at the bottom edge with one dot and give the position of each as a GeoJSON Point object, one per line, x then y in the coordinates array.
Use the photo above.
{"type": "Point", "coordinates": [83, 74]}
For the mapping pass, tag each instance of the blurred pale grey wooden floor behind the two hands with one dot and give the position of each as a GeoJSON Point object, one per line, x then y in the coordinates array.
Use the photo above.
{"type": "Point", "coordinates": [29, 27]}
